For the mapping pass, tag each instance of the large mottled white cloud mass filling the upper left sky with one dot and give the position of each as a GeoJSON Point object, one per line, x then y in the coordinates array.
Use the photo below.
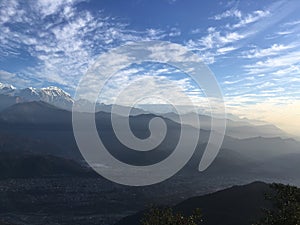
{"type": "Point", "coordinates": [66, 46]}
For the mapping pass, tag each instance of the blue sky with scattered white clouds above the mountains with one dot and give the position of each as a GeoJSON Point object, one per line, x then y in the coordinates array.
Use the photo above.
{"type": "Point", "coordinates": [252, 47]}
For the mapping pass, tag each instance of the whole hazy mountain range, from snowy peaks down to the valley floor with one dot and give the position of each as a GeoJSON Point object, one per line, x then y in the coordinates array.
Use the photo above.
{"type": "Point", "coordinates": [38, 126]}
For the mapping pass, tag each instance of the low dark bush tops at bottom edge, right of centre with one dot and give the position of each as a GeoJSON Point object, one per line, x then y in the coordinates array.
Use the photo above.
{"type": "Point", "coordinates": [166, 216]}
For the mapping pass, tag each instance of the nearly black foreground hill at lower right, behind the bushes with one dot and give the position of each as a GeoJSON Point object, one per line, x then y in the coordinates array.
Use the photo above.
{"type": "Point", "coordinates": [239, 205]}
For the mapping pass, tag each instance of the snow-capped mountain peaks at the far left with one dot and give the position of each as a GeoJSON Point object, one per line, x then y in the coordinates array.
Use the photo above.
{"type": "Point", "coordinates": [51, 95]}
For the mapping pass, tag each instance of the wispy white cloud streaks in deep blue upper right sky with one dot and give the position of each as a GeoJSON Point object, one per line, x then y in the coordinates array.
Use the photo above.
{"type": "Point", "coordinates": [216, 41]}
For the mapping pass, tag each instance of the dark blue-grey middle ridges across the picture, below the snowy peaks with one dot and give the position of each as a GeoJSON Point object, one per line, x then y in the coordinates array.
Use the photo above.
{"type": "Point", "coordinates": [41, 128]}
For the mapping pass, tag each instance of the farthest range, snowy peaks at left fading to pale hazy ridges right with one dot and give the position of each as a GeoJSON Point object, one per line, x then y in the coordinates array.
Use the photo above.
{"type": "Point", "coordinates": [236, 127]}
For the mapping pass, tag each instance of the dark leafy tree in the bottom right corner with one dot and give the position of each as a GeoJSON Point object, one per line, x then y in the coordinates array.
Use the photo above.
{"type": "Point", "coordinates": [287, 206]}
